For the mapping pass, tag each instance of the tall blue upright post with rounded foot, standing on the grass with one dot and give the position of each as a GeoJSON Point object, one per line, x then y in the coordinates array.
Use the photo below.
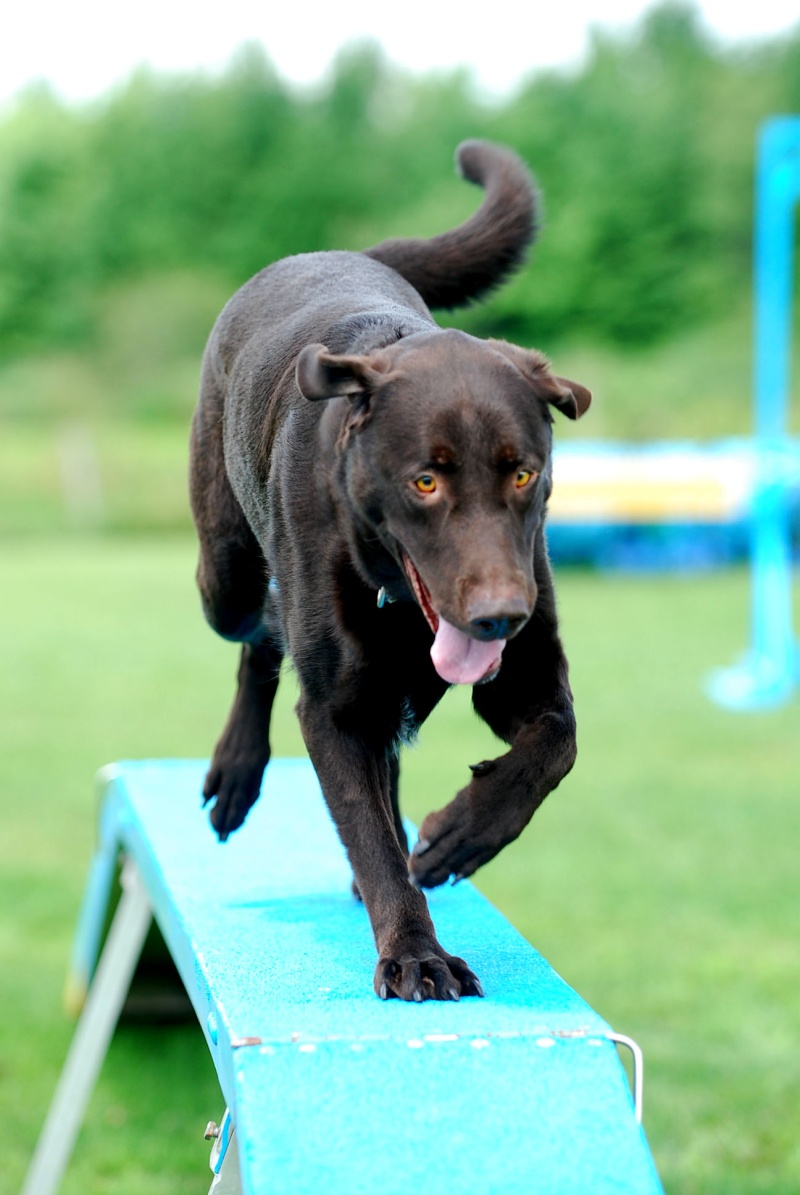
{"type": "Point", "coordinates": [772, 669]}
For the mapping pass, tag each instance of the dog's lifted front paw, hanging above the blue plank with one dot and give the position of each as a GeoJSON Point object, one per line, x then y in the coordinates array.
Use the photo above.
{"type": "Point", "coordinates": [471, 831]}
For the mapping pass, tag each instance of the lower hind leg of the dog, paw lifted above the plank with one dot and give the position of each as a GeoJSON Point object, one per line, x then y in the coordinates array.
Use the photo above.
{"type": "Point", "coordinates": [243, 752]}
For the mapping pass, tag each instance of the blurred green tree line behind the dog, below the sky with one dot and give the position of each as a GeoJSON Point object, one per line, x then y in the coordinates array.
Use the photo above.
{"type": "Point", "coordinates": [644, 156]}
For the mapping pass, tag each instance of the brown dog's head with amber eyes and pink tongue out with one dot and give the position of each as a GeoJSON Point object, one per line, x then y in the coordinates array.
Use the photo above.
{"type": "Point", "coordinates": [447, 461]}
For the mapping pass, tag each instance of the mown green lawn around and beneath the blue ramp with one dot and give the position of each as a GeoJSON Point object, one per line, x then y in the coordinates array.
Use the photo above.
{"type": "Point", "coordinates": [661, 880]}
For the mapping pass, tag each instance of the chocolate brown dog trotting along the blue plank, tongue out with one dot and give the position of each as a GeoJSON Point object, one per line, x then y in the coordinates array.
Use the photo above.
{"type": "Point", "coordinates": [370, 494]}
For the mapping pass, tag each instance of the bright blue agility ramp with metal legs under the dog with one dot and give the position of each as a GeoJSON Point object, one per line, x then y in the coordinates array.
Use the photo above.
{"type": "Point", "coordinates": [328, 1088]}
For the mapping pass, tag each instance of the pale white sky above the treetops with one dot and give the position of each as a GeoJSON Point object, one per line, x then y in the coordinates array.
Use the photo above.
{"type": "Point", "coordinates": [83, 47]}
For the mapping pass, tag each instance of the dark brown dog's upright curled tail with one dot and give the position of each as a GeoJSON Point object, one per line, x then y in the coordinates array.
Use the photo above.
{"type": "Point", "coordinates": [469, 261]}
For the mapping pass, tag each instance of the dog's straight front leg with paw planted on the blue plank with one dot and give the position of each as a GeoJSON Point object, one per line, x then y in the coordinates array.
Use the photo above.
{"type": "Point", "coordinates": [356, 781]}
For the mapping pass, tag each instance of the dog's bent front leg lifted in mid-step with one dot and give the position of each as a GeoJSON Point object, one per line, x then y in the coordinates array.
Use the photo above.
{"type": "Point", "coordinates": [530, 707]}
